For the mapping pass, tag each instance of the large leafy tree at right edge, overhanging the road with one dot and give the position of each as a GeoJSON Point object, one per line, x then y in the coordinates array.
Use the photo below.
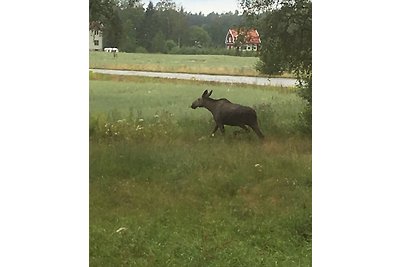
{"type": "Point", "coordinates": [287, 31]}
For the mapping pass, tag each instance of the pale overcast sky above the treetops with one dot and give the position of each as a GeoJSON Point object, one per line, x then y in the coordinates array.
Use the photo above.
{"type": "Point", "coordinates": [205, 6]}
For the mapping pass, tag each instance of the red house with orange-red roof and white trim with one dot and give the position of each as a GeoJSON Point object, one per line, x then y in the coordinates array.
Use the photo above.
{"type": "Point", "coordinates": [243, 40]}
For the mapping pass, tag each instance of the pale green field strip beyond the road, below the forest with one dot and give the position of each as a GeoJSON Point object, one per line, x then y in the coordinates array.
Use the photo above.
{"type": "Point", "coordinates": [204, 64]}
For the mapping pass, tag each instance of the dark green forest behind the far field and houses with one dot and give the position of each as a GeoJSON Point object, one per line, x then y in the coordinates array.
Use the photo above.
{"type": "Point", "coordinates": [162, 27]}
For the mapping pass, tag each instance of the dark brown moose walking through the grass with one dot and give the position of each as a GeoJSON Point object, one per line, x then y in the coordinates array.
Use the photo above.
{"type": "Point", "coordinates": [227, 113]}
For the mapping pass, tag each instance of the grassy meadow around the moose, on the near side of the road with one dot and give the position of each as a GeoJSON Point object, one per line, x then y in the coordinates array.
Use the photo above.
{"type": "Point", "coordinates": [165, 193]}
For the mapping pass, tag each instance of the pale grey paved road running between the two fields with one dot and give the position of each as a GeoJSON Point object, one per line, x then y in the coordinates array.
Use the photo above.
{"type": "Point", "coordinates": [285, 82]}
